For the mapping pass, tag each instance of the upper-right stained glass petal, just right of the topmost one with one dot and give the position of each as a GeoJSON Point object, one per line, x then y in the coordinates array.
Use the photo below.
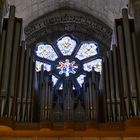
{"type": "Point", "coordinates": [86, 50]}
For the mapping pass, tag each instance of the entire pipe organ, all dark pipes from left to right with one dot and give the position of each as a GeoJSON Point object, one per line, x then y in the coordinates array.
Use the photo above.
{"type": "Point", "coordinates": [29, 96]}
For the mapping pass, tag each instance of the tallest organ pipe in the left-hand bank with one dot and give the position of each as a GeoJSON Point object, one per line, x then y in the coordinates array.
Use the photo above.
{"type": "Point", "coordinates": [8, 53]}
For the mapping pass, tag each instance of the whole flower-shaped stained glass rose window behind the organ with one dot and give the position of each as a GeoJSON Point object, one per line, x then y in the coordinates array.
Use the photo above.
{"type": "Point", "coordinates": [68, 59]}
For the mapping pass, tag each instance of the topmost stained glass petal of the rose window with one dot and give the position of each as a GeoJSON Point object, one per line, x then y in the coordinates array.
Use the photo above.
{"type": "Point", "coordinates": [66, 45]}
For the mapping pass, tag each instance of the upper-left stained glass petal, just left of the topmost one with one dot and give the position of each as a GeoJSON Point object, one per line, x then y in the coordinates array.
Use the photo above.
{"type": "Point", "coordinates": [46, 51]}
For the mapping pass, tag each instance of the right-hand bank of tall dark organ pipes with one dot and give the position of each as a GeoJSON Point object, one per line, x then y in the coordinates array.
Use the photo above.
{"type": "Point", "coordinates": [121, 73]}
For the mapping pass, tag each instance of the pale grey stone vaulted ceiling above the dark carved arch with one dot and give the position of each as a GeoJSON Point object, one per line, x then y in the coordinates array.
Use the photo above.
{"type": "Point", "coordinates": [105, 10]}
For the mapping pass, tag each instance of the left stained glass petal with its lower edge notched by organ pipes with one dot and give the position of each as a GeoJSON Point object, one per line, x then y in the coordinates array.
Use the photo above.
{"type": "Point", "coordinates": [38, 65]}
